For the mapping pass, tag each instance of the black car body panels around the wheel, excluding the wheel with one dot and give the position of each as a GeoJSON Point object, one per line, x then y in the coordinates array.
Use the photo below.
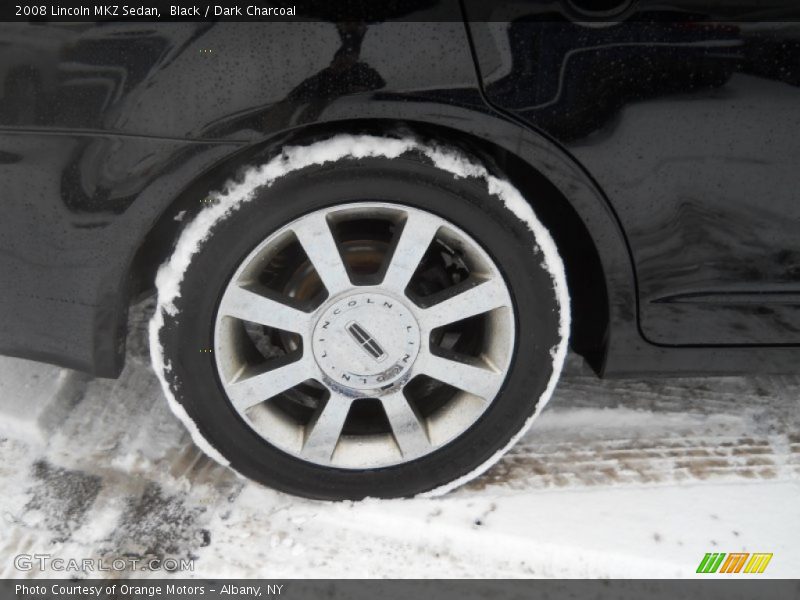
{"type": "Point", "coordinates": [659, 145]}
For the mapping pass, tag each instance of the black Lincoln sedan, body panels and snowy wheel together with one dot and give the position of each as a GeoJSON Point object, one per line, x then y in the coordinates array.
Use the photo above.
{"type": "Point", "coordinates": [373, 241]}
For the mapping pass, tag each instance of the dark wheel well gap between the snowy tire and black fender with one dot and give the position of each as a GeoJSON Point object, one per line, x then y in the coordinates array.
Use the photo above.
{"type": "Point", "coordinates": [585, 277]}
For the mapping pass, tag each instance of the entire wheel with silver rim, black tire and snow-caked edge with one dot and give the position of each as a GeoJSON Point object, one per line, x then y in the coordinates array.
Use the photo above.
{"type": "Point", "coordinates": [362, 316]}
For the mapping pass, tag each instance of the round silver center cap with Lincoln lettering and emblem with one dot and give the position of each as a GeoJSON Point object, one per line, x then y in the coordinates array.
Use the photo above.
{"type": "Point", "coordinates": [366, 341]}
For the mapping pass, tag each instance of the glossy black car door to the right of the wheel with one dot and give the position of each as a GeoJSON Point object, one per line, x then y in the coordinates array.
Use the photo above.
{"type": "Point", "coordinates": [690, 124]}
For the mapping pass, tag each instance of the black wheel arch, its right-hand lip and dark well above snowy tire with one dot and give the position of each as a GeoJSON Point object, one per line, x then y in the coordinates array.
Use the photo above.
{"type": "Point", "coordinates": [563, 196]}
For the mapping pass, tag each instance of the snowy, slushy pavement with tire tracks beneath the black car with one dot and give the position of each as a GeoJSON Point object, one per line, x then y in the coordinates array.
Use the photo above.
{"type": "Point", "coordinates": [632, 478]}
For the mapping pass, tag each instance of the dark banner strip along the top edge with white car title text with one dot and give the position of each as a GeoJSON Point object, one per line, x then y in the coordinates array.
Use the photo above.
{"type": "Point", "coordinates": [588, 11]}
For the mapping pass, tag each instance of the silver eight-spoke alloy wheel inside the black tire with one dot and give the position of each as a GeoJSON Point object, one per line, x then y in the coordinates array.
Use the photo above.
{"type": "Point", "coordinates": [364, 337]}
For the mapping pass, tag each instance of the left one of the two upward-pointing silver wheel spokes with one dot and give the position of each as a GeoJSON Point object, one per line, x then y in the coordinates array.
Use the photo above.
{"type": "Point", "coordinates": [314, 234]}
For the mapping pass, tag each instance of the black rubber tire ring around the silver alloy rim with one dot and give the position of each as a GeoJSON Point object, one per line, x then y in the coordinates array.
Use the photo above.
{"type": "Point", "coordinates": [410, 180]}
